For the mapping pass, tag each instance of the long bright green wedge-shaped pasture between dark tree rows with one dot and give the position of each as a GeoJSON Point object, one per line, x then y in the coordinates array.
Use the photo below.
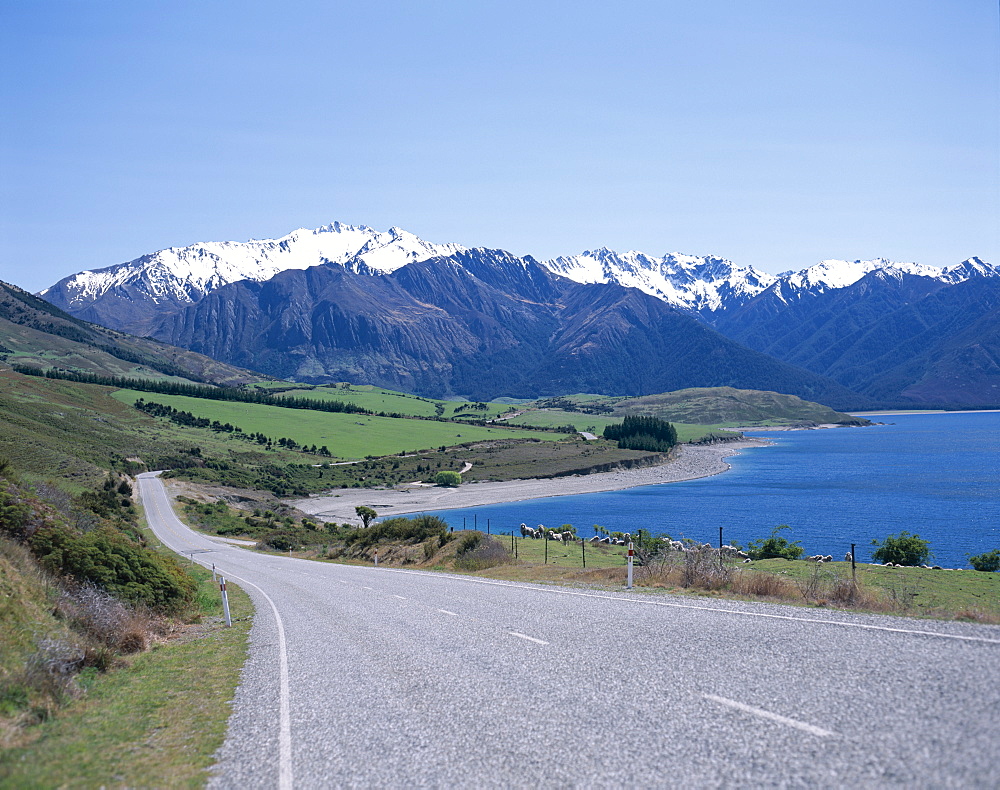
{"type": "Point", "coordinates": [348, 436]}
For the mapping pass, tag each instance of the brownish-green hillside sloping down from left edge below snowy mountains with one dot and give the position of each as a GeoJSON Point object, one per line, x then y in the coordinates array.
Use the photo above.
{"type": "Point", "coordinates": [38, 334]}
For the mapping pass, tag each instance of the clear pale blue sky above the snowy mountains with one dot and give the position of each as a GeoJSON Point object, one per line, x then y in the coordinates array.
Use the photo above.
{"type": "Point", "coordinates": [775, 133]}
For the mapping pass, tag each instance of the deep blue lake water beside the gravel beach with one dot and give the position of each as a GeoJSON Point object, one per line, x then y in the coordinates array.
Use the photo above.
{"type": "Point", "coordinates": [937, 475]}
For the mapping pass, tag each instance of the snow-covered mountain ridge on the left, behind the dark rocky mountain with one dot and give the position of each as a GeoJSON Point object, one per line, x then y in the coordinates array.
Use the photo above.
{"type": "Point", "coordinates": [177, 276]}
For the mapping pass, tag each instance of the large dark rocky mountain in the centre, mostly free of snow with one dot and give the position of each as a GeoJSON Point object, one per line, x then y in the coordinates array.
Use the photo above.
{"type": "Point", "coordinates": [480, 323]}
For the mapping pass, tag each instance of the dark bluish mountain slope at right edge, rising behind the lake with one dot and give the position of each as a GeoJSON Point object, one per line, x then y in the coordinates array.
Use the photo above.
{"type": "Point", "coordinates": [898, 338]}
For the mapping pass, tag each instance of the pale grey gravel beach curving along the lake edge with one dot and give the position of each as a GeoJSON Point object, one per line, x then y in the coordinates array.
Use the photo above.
{"type": "Point", "coordinates": [693, 463]}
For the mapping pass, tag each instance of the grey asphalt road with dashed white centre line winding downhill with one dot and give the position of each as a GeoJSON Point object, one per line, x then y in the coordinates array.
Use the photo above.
{"type": "Point", "coordinates": [375, 677]}
